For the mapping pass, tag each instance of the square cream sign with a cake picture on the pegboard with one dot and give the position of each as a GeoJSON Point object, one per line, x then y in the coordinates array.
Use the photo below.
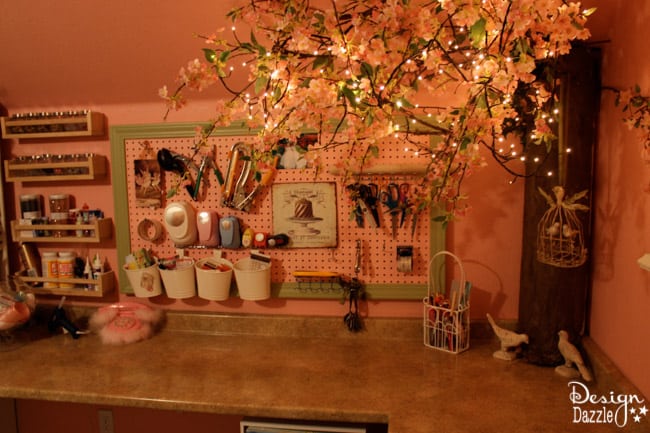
{"type": "Point", "coordinates": [306, 212]}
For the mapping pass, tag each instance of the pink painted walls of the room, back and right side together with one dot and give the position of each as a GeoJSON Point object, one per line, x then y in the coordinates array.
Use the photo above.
{"type": "Point", "coordinates": [112, 57]}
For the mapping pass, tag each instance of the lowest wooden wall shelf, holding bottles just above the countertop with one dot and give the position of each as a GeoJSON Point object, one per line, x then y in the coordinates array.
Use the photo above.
{"type": "Point", "coordinates": [83, 287]}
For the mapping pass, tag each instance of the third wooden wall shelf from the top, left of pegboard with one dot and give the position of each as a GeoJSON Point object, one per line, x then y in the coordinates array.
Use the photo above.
{"type": "Point", "coordinates": [101, 229]}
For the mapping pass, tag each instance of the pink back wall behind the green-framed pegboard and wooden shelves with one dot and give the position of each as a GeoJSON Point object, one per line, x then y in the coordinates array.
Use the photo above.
{"type": "Point", "coordinates": [114, 62]}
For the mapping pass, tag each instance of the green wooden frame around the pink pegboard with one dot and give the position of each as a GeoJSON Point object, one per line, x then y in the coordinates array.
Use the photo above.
{"type": "Point", "coordinates": [120, 134]}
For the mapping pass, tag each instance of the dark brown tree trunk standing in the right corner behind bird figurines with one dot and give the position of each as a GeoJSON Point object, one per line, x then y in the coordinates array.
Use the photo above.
{"type": "Point", "coordinates": [554, 298]}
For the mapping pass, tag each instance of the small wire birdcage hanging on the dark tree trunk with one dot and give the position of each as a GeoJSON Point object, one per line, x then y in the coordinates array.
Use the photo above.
{"type": "Point", "coordinates": [560, 237]}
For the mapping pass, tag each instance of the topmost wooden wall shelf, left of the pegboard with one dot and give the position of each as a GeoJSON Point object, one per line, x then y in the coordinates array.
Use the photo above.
{"type": "Point", "coordinates": [83, 124]}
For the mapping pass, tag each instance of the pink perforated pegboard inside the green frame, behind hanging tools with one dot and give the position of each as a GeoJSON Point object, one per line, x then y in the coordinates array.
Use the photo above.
{"type": "Point", "coordinates": [379, 249]}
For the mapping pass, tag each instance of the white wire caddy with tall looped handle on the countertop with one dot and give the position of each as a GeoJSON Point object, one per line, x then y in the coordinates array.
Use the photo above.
{"type": "Point", "coordinates": [446, 314]}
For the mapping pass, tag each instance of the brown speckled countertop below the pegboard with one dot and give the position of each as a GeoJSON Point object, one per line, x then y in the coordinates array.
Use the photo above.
{"type": "Point", "coordinates": [299, 368]}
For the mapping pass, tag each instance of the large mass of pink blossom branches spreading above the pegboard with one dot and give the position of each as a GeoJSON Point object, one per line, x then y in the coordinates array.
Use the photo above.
{"type": "Point", "coordinates": [353, 69]}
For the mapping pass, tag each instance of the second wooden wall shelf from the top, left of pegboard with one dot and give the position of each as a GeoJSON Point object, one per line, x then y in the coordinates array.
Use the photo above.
{"type": "Point", "coordinates": [89, 168]}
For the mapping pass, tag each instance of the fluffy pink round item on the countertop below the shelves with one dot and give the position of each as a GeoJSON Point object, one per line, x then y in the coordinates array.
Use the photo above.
{"type": "Point", "coordinates": [126, 322]}
